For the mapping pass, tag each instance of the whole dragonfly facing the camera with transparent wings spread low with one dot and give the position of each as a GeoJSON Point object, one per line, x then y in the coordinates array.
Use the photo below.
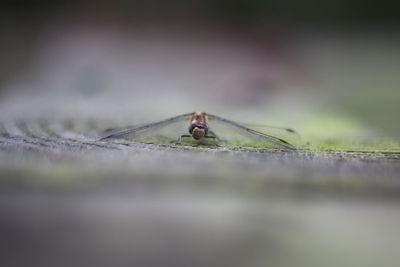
{"type": "Point", "coordinates": [199, 126]}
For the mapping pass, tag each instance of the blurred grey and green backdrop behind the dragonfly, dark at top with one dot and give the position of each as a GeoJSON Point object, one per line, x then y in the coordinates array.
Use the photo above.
{"type": "Point", "coordinates": [324, 68]}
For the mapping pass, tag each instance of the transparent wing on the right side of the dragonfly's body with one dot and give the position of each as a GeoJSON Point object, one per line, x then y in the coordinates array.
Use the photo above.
{"type": "Point", "coordinates": [235, 133]}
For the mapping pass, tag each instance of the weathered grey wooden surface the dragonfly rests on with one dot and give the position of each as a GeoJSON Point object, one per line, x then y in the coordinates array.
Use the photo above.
{"type": "Point", "coordinates": [69, 200]}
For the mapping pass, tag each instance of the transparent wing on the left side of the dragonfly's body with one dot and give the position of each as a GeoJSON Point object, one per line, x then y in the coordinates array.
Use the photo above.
{"type": "Point", "coordinates": [163, 131]}
